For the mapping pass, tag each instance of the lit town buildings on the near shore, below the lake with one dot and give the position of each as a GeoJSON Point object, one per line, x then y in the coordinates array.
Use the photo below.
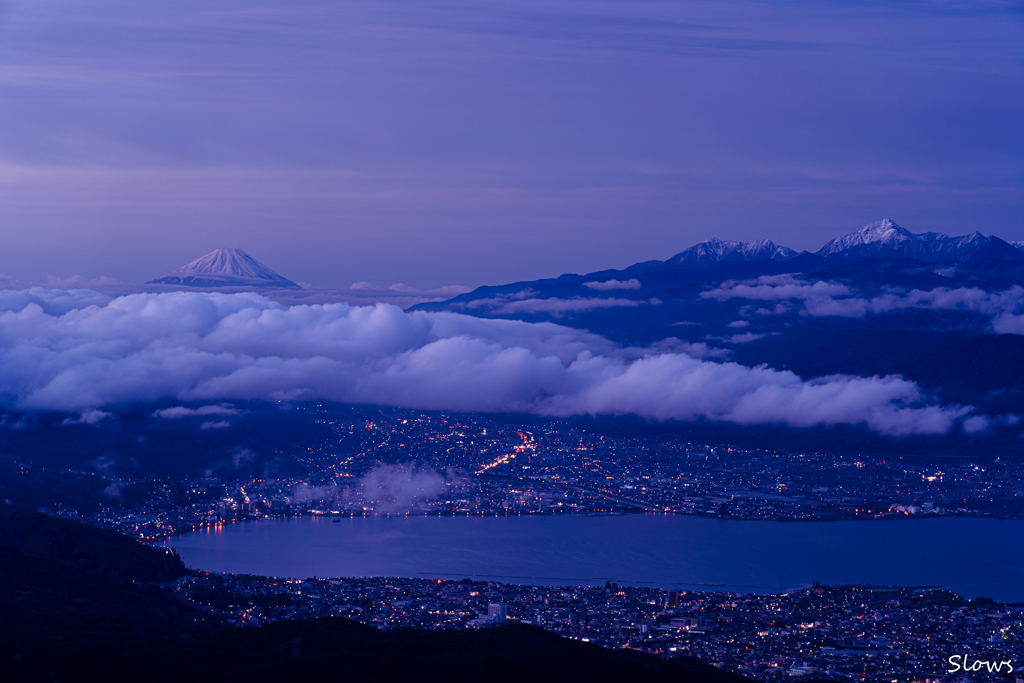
{"type": "Point", "coordinates": [840, 633]}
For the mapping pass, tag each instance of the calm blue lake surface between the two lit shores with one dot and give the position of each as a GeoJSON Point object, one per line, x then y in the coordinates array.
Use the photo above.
{"type": "Point", "coordinates": [971, 557]}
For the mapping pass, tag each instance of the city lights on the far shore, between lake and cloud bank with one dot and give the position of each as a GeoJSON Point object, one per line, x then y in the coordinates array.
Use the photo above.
{"type": "Point", "coordinates": [485, 467]}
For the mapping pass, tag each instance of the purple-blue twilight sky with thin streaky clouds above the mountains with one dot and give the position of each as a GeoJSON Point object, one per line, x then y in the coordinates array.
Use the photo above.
{"type": "Point", "coordinates": [441, 144]}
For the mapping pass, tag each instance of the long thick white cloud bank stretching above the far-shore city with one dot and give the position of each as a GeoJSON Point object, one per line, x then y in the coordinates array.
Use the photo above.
{"type": "Point", "coordinates": [74, 352]}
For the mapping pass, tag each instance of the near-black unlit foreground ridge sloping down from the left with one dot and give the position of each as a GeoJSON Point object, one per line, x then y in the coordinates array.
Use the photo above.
{"type": "Point", "coordinates": [79, 605]}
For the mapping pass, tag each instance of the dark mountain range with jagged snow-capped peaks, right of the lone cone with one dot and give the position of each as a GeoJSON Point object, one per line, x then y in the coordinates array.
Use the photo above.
{"type": "Point", "coordinates": [881, 301]}
